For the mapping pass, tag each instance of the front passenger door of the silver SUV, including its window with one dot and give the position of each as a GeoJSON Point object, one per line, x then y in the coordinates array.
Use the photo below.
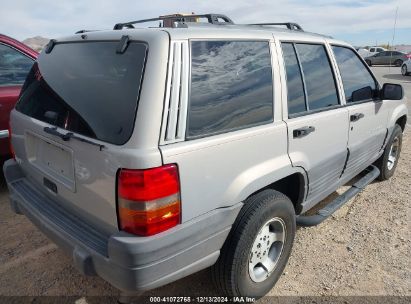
{"type": "Point", "coordinates": [368, 114]}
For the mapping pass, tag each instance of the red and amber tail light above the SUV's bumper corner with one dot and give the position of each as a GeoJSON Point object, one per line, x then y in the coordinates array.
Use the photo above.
{"type": "Point", "coordinates": [148, 200]}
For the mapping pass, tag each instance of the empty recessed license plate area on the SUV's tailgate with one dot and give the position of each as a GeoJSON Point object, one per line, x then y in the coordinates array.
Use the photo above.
{"type": "Point", "coordinates": [53, 159]}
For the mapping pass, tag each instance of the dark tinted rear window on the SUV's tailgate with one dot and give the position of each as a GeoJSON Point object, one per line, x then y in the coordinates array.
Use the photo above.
{"type": "Point", "coordinates": [87, 88]}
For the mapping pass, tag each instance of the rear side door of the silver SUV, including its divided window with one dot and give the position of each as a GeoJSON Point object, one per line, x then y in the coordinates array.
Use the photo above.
{"type": "Point", "coordinates": [317, 123]}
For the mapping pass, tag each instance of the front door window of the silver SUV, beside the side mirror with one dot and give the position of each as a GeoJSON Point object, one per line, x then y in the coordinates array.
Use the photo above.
{"type": "Point", "coordinates": [355, 76]}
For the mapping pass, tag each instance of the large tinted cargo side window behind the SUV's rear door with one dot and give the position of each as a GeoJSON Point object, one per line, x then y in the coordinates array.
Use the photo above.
{"type": "Point", "coordinates": [231, 86]}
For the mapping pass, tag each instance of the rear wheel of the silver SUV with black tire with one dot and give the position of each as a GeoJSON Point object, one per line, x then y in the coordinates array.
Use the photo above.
{"type": "Point", "coordinates": [231, 274]}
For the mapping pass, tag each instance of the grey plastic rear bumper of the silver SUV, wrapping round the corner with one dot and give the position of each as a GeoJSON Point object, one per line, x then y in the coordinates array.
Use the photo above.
{"type": "Point", "coordinates": [128, 262]}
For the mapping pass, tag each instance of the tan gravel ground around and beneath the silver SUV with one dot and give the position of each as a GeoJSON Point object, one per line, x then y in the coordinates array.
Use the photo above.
{"type": "Point", "coordinates": [363, 250]}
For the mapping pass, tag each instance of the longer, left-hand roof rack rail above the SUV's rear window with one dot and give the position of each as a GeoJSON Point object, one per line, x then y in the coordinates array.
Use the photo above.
{"type": "Point", "coordinates": [178, 18]}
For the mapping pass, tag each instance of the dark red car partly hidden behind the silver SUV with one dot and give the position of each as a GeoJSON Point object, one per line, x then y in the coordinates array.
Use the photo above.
{"type": "Point", "coordinates": [16, 60]}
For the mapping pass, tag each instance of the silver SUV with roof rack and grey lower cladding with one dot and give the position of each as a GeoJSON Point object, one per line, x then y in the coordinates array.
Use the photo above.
{"type": "Point", "coordinates": [149, 154]}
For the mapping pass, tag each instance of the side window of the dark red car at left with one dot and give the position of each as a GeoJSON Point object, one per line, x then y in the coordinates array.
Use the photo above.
{"type": "Point", "coordinates": [14, 66]}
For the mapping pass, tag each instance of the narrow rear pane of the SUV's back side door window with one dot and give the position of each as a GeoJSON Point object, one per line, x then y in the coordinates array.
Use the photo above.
{"type": "Point", "coordinates": [295, 89]}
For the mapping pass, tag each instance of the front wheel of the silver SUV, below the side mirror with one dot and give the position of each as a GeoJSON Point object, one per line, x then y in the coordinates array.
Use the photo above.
{"type": "Point", "coordinates": [386, 163]}
